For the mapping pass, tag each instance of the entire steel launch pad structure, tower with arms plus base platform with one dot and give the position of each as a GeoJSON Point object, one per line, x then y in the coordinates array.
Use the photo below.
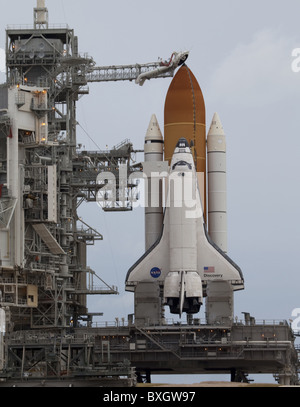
{"type": "Point", "coordinates": [44, 276]}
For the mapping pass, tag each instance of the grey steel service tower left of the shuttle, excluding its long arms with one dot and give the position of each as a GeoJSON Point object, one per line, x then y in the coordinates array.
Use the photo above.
{"type": "Point", "coordinates": [43, 280]}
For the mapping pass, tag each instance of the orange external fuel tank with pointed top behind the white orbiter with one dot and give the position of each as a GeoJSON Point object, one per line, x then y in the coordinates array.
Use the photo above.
{"type": "Point", "coordinates": [184, 116]}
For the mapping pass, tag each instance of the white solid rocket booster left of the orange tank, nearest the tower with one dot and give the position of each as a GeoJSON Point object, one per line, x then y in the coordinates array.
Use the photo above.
{"type": "Point", "coordinates": [153, 154]}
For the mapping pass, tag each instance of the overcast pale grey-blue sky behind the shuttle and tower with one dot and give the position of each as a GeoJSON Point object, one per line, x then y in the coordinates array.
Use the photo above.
{"type": "Point", "coordinates": [241, 55]}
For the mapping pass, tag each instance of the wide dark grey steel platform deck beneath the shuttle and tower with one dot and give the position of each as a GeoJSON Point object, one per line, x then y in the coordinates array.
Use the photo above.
{"type": "Point", "coordinates": [124, 355]}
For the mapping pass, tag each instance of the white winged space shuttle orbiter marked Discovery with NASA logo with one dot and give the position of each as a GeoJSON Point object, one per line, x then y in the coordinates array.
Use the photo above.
{"type": "Point", "coordinates": [184, 259]}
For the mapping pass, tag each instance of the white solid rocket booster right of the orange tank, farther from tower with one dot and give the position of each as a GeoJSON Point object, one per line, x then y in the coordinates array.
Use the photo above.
{"type": "Point", "coordinates": [217, 200]}
